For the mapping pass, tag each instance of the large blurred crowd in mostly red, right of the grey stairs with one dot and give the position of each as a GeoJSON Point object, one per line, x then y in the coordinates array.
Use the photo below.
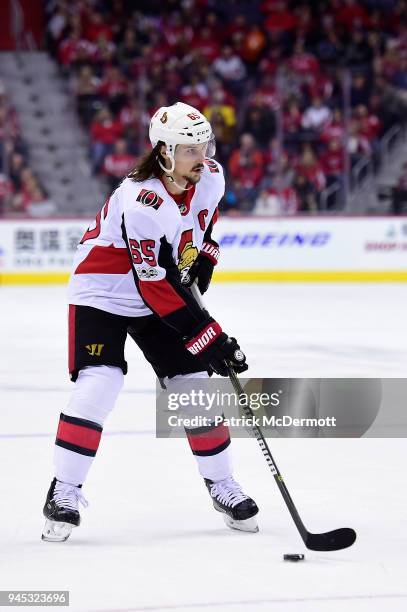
{"type": "Point", "coordinates": [269, 75]}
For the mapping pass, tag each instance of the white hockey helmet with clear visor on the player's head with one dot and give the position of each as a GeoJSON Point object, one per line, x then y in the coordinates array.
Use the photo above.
{"type": "Point", "coordinates": [181, 124]}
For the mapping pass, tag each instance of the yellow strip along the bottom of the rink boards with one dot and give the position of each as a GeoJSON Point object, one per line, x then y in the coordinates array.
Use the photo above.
{"type": "Point", "coordinates": [248, 276]}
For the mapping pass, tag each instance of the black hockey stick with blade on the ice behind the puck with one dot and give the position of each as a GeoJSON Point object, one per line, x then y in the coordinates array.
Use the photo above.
{"type": "Point", "coordinates": [330, 540]}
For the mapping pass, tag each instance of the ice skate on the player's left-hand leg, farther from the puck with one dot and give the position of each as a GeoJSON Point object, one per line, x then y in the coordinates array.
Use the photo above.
{"type": "Point", "coordinates": [61, 511]}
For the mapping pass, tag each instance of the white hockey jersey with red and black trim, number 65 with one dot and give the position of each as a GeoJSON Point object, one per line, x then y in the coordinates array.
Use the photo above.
{"type": "Point", "coordinates": [131, 262]}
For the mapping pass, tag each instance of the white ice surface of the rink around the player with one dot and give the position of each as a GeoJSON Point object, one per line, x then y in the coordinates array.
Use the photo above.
{"type": "Point", "coordinates": [150, 539]}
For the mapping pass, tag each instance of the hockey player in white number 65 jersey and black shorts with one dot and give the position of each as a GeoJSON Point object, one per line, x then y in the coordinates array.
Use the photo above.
{"type": "Point", "coordinates": [153, 233]}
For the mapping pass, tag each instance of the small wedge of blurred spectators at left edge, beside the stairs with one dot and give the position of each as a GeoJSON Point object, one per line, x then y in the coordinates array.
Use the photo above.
{"type": "Point", "coordinates": [20, 189]}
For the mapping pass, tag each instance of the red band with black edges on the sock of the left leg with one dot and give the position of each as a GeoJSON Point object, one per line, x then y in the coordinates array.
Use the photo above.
{"type": "Point", "coordinates": [78, 435]}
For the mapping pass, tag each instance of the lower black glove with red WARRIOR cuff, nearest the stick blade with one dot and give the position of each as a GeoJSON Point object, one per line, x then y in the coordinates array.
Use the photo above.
{"type": "Point", "coordinates": [213, 347]}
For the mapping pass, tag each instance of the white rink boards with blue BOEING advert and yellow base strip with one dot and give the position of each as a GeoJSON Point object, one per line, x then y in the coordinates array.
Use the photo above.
{"type": "Point", "coordinates": [253, 249]}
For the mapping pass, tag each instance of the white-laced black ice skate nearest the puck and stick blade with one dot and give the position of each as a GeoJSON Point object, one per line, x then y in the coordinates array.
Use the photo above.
{"type": "Point", "coordinates": [238, 509]}
